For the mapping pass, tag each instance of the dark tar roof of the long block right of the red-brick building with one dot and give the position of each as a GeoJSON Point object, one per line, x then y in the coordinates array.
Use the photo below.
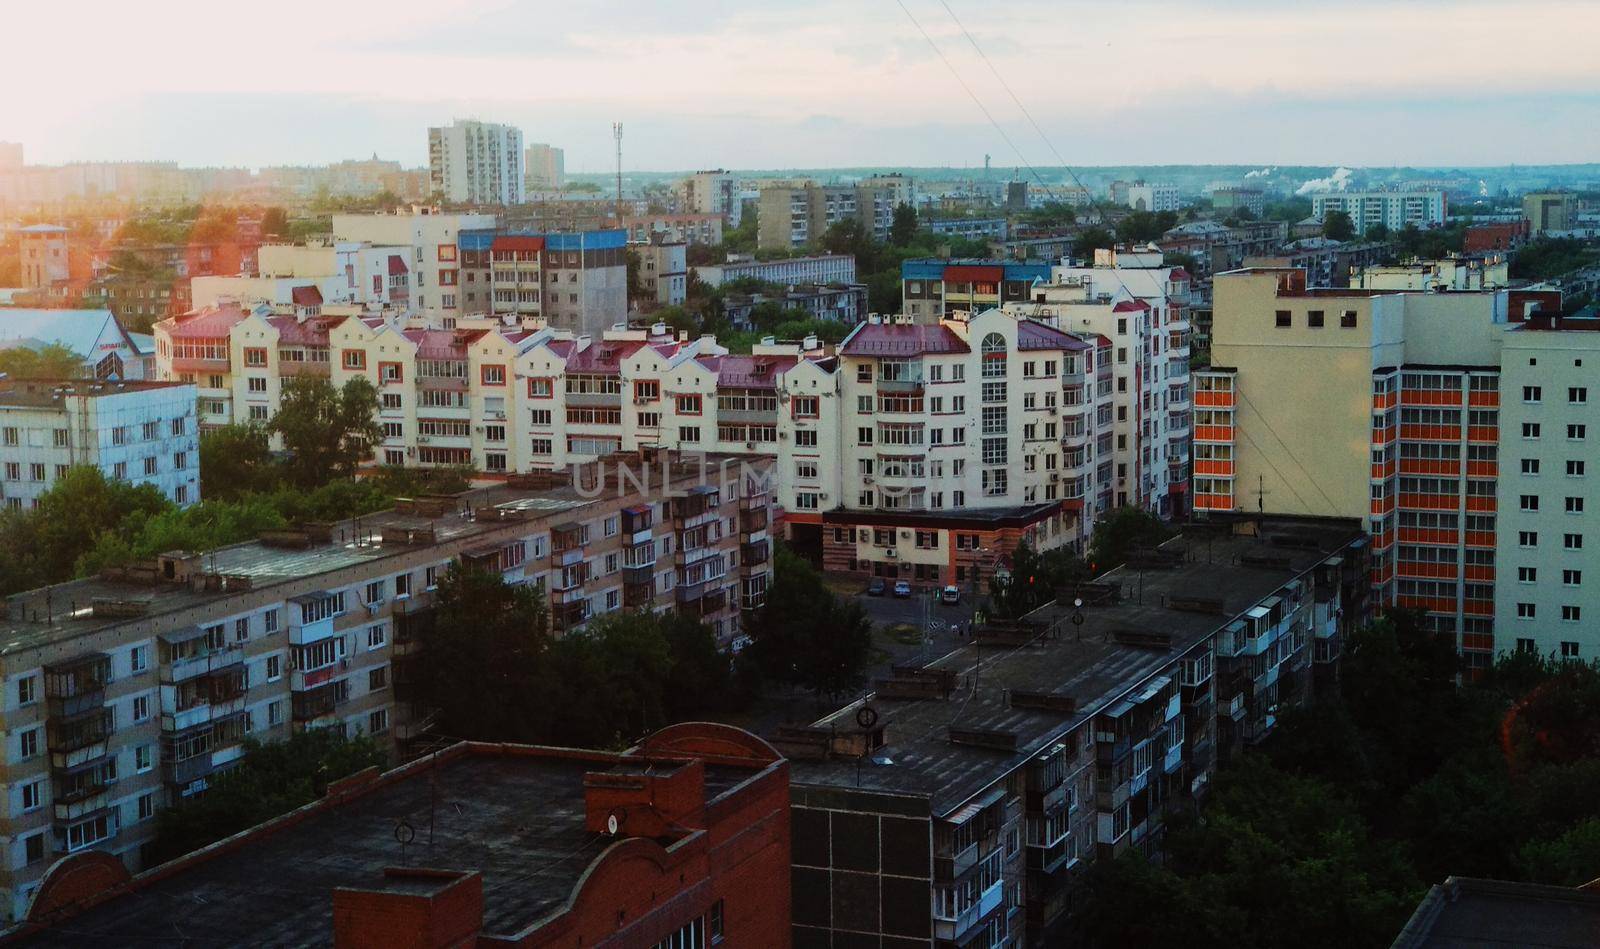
{"type": "Point", "coordinates": [1084, 663]}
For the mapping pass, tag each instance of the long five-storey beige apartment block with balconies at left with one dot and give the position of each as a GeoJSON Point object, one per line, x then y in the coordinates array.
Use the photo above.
{"type": "Point", "coordinates": [129, 691]}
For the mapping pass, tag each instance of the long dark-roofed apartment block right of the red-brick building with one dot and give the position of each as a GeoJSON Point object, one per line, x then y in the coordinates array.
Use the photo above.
{"type": "Point", "coordinates": [961, 804]}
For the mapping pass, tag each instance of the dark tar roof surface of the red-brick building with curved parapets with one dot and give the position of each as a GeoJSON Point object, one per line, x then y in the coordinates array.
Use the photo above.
{"type": "Point", "coordinates": [516, 819]}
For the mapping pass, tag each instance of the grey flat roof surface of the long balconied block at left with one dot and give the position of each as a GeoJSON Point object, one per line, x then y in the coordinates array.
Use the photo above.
{"type": "Point", "coordinates": [70, 612]}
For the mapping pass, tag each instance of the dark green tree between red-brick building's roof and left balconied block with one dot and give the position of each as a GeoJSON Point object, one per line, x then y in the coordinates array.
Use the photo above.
{"type": "Point", "coordinates": [271, 780]}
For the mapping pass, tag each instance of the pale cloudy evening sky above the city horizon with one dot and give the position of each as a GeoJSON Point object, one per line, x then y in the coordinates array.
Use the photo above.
{"type": "Point", "coordinates": [796, 84]}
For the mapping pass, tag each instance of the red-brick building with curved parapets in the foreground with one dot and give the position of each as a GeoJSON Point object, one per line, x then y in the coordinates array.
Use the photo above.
{"type": "Point", "coordinates": [679, 843]}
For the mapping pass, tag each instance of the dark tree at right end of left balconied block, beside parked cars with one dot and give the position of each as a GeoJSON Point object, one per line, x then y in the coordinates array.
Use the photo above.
{"type": "Point", "coordinates": [807, 636]}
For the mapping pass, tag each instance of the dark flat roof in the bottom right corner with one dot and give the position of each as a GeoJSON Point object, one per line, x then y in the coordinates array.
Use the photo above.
{"type": "Point", "coordinates": [1465, 913]}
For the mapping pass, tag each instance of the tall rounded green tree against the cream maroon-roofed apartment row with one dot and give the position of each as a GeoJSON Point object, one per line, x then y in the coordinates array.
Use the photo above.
{"type": "Point", "coordinates": [327, 431]}
